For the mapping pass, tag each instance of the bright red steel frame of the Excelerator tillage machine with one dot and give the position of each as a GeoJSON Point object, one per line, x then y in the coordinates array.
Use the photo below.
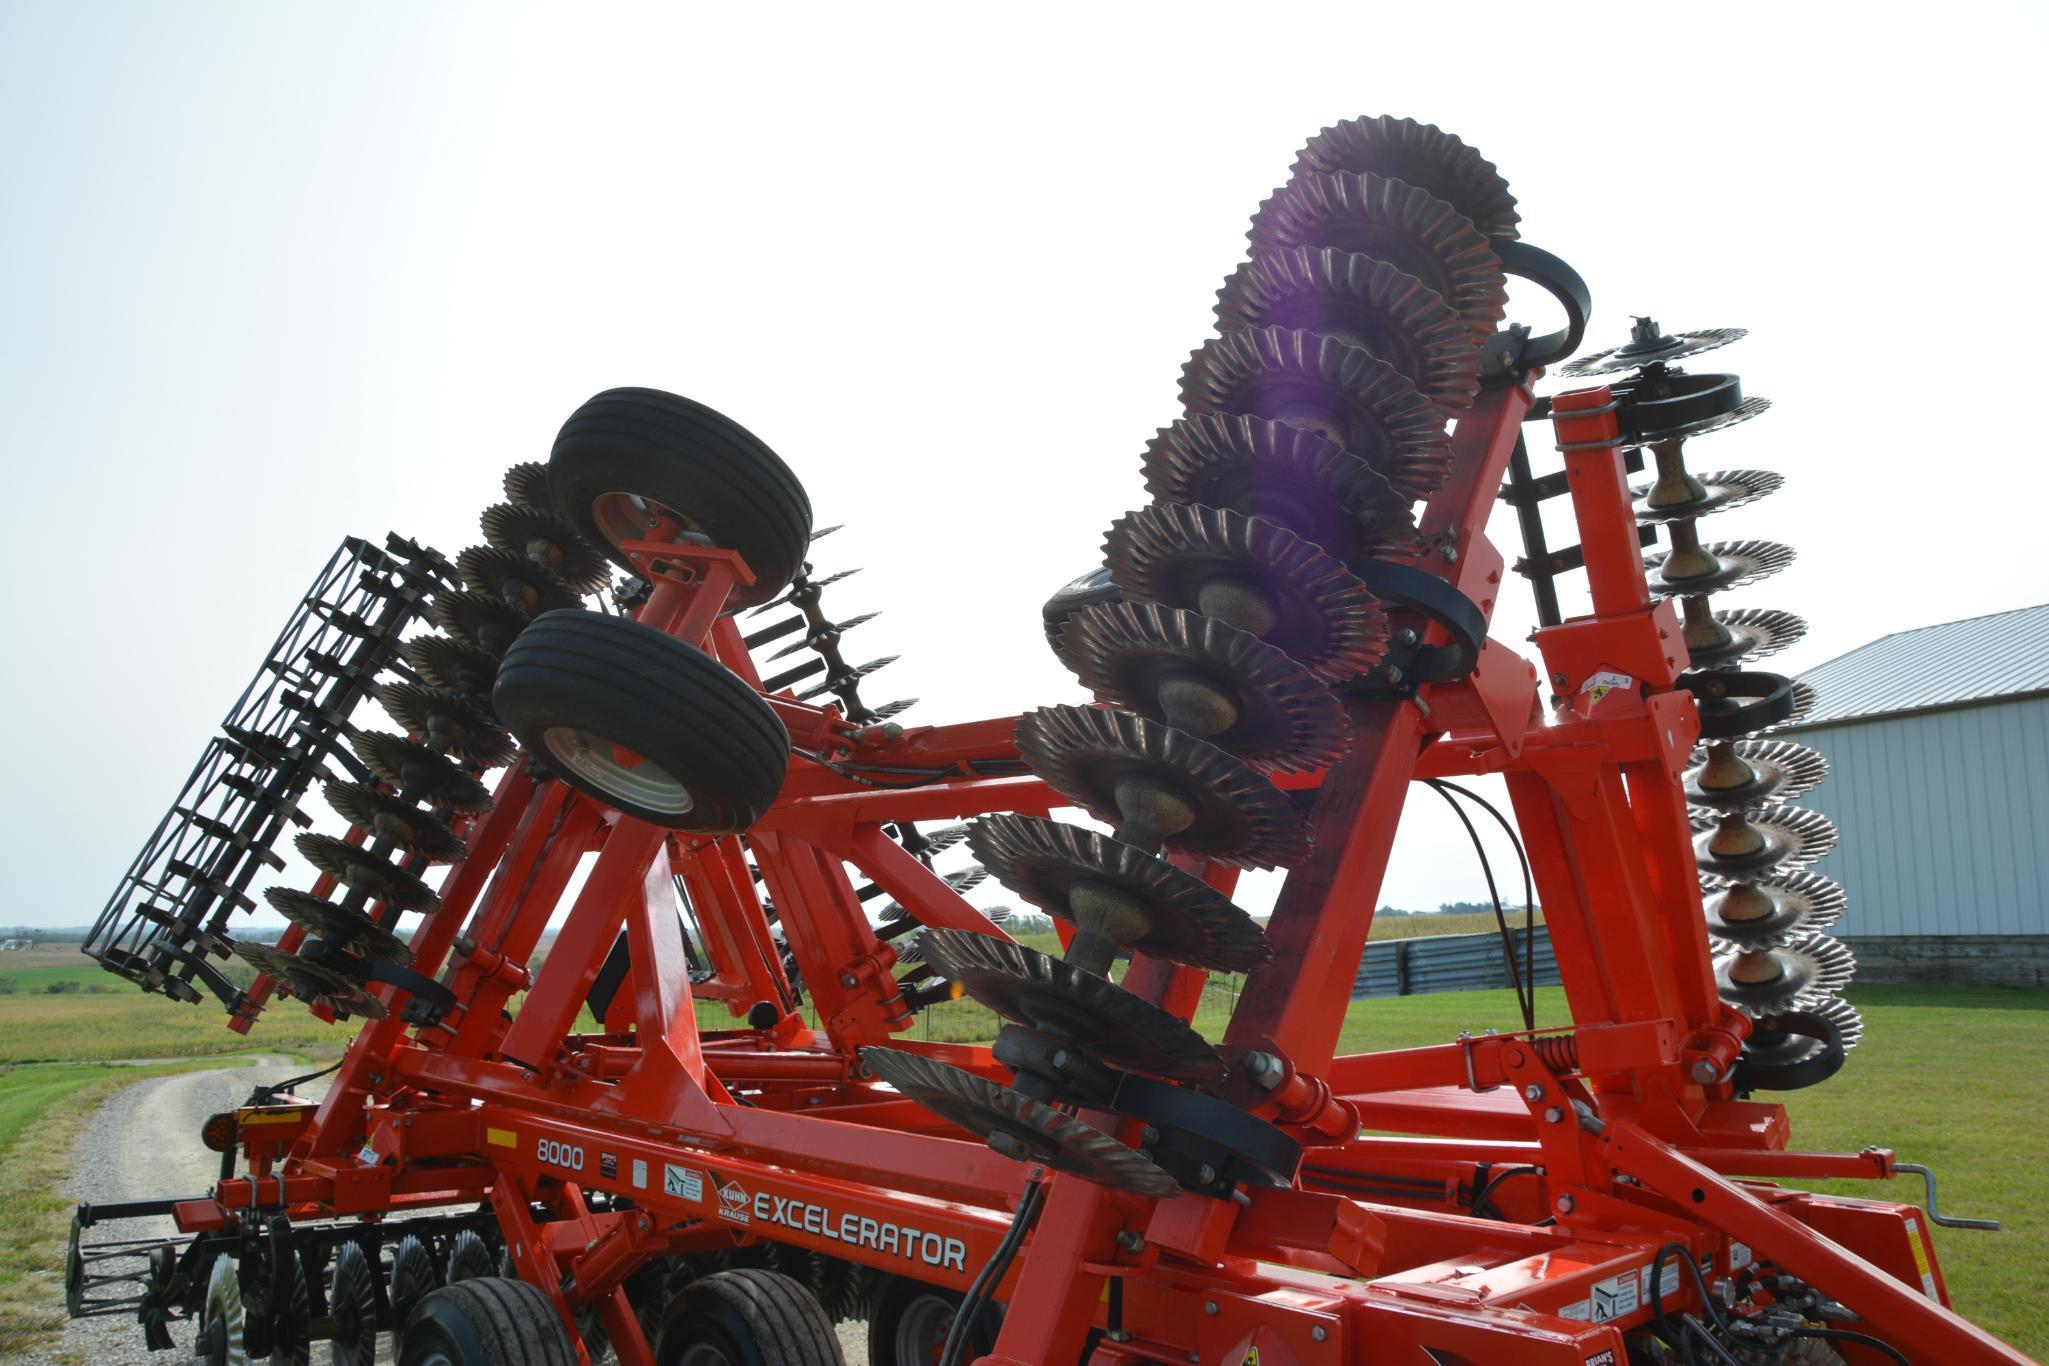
{"type": "Point", "coordinates": [1626, 1113]}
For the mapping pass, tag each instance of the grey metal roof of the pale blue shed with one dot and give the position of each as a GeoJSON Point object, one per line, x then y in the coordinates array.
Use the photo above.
{"type": "Point", "coordinates": [1956, 663]}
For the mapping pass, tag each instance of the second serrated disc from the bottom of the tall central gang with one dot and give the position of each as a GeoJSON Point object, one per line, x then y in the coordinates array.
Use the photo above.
{"type": "Point", "coordinates": [1081, 1009]}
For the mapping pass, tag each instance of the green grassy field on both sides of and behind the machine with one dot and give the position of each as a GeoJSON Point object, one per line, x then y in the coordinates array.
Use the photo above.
{"type": "Point", "coordinates": [1948, 1078]}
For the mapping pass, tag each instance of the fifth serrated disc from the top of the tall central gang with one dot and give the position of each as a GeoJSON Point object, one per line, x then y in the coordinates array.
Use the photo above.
{"type": "Point", "coordinates": [1284, 474]}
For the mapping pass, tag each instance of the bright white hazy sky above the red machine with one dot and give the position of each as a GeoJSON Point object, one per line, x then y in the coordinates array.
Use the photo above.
{"type": "Point", "coordinates": [276, 273]}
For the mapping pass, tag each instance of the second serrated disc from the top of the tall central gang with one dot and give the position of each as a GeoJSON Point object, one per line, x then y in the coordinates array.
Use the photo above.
{"type": "Point", "coordinates": [1403, 224]}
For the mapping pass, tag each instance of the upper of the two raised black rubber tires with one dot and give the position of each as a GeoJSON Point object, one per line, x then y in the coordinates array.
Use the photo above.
{"type": "Point", "coordinates": [698, 464]}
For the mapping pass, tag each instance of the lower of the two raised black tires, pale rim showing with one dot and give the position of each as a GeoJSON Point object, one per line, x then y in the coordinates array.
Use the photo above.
{"type": "Point", "coordinates": [651, 693]}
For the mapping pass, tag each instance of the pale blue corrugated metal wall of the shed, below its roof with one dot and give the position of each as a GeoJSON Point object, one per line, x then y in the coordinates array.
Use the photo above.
{"type": "Point", "coordinates": [1946, 820]}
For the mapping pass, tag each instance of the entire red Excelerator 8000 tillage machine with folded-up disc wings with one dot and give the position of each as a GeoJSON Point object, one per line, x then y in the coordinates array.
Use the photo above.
{"type": "Point", "coordinates": [1280, 644]}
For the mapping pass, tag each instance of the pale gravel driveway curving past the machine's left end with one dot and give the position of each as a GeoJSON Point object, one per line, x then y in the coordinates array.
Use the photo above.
{"type": "Point", "coordinates": [147, 1144]}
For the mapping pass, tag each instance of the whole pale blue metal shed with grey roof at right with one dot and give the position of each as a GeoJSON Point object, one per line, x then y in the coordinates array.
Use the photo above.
{"type": "Point", "coordinates": [1939, 753]}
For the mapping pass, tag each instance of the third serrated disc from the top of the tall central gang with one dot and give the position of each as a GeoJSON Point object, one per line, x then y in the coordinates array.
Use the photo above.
{"type": "Point", "coordinates": [1362, 302]}
